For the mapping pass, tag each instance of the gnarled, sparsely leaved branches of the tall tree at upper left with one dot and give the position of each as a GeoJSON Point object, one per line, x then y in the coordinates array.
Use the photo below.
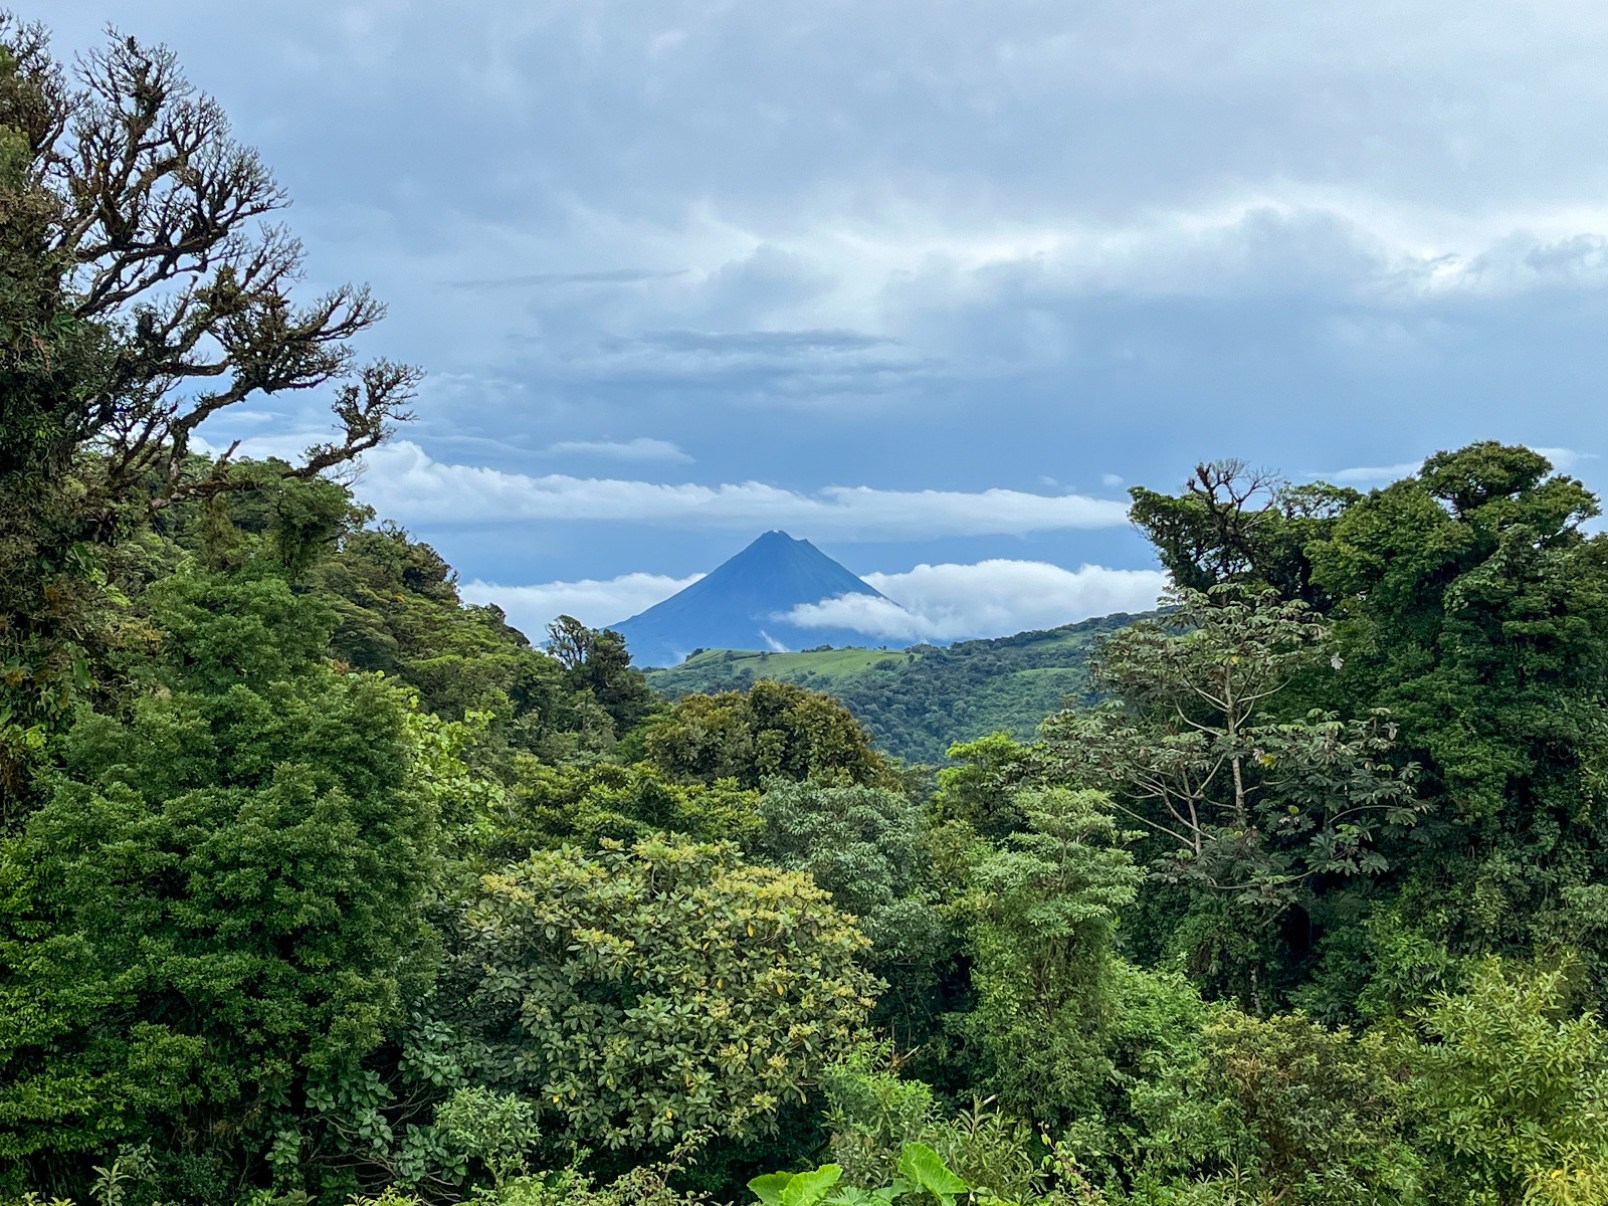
{"type": "Point", "coordinates": [155, 228]}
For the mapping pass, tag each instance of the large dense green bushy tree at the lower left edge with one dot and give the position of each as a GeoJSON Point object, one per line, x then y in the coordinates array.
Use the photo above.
{"type": "Point", "coordinates": [219, 909]}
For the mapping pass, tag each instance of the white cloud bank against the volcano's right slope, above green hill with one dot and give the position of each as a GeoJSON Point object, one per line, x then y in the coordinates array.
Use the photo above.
{"type": "Point", "coordinates": [990, 599]}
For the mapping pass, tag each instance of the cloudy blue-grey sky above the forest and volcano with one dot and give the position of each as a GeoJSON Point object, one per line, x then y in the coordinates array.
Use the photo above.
{"type": "Point", "coordinates": [929, 284]}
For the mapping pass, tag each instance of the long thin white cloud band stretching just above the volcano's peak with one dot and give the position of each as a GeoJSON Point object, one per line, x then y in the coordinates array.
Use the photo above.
{"type": "Point", "coordinates": [404, 483]}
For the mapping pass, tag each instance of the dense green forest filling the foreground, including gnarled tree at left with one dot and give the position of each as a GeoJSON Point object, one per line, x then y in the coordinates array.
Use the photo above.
{"type": "Point", "coordinates": [318, 885]}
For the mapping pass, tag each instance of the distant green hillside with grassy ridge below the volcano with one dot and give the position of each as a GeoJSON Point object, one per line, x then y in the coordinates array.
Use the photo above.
{"type": "Point", "coordinates": [917, 702]}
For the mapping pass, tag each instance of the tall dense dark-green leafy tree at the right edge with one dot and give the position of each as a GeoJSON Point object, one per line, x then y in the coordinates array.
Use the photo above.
{"type": "Point", "coordinates": [1475, 609]}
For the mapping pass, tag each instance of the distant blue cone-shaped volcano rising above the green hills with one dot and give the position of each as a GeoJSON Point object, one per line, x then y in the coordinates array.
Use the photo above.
{"type": "Point", "coordinates": [740, 604]}
